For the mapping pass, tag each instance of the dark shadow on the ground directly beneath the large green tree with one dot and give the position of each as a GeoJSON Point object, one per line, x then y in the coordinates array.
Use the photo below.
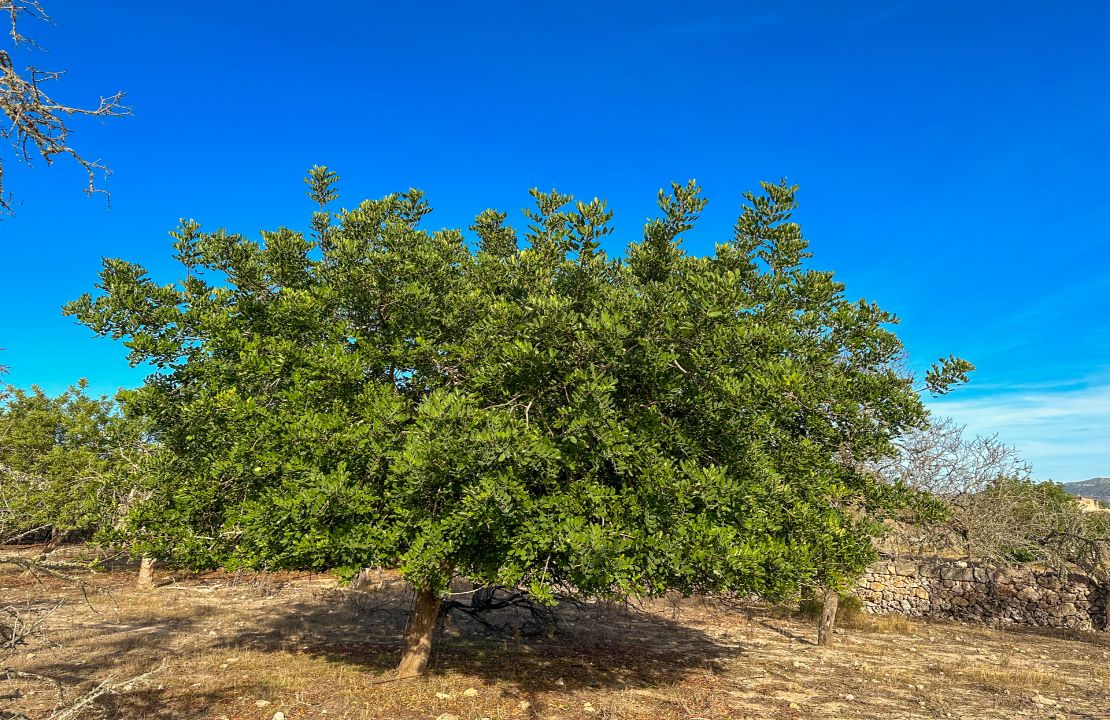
{"type": "Point", "coordinates": [590, 646]}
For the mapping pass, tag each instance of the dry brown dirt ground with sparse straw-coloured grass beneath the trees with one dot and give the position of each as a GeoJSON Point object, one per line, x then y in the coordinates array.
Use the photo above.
{"type": "Point", "coordinates": [254, 646]}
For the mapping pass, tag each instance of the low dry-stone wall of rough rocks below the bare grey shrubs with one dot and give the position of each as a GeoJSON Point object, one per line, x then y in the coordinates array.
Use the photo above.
{"type": "Point", "coordinates": [983, 594]}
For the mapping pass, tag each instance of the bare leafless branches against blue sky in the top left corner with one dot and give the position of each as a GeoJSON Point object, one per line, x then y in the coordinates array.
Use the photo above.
{"type": "Point", "coordinates": [37, 125]}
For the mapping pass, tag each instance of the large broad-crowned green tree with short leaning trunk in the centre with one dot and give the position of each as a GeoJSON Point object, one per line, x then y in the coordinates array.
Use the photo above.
{"type": "Point", "coordinates": [547, 417]}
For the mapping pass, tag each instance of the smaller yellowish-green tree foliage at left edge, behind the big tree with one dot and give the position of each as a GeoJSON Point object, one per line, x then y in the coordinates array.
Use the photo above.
{"type": "Point", "coordinates": [58, 458]}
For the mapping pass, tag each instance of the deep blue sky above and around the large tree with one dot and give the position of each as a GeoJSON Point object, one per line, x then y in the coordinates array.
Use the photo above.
{"type": "Point", "coordinates": [954, 158]}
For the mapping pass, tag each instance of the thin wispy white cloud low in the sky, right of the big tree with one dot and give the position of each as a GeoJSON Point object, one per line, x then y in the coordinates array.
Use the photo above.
{"type": "Point", "coordinates": [1064, 431]}
